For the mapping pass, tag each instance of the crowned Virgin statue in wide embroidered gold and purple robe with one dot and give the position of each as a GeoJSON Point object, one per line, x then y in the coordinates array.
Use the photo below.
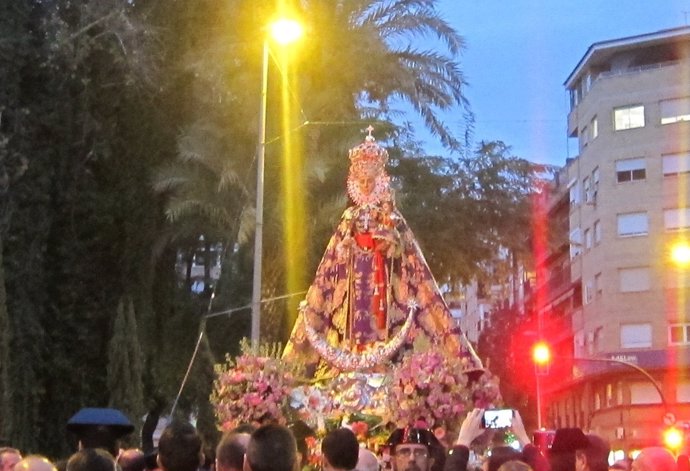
{"type": "Point", "coordinates": [373, 294]}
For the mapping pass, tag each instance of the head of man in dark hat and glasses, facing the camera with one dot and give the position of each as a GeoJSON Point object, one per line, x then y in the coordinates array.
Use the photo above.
{"type": "Point", "coordinates": [411, 449]}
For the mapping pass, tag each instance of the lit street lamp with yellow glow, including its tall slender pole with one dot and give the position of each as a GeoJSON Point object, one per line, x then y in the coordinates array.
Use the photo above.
{"type": "Point", "coordinates": [283, 31]}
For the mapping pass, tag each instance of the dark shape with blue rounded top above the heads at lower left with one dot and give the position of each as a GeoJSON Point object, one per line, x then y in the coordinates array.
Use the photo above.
{"type": "Point", "coordinates": [100, 428]}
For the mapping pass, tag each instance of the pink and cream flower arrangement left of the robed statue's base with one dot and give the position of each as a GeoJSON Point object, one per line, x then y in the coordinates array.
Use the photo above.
{"type": "Point", "coordinates": [254, 387]}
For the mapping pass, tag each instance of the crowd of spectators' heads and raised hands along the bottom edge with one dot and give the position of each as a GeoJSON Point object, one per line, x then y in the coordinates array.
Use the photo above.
{"type": "Point", "coordinates": [274, 447]}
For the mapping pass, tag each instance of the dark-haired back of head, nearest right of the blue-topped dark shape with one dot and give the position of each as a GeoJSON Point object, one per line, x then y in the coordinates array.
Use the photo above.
{"type": "Point", "coordinates": [179, 447]}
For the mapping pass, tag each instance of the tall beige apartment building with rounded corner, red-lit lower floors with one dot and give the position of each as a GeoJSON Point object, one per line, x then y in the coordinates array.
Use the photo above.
{"type": "Point", "coordinates": [628, 205]}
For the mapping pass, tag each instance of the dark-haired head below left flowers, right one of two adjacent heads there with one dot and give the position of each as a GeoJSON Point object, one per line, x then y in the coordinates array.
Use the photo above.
{"type": "Point", "coordinates": [271, 447]}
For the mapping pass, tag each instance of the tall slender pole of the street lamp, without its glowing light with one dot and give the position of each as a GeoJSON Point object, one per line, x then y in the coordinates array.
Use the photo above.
{"type": "Point", "coordinates": [259, 224]}
